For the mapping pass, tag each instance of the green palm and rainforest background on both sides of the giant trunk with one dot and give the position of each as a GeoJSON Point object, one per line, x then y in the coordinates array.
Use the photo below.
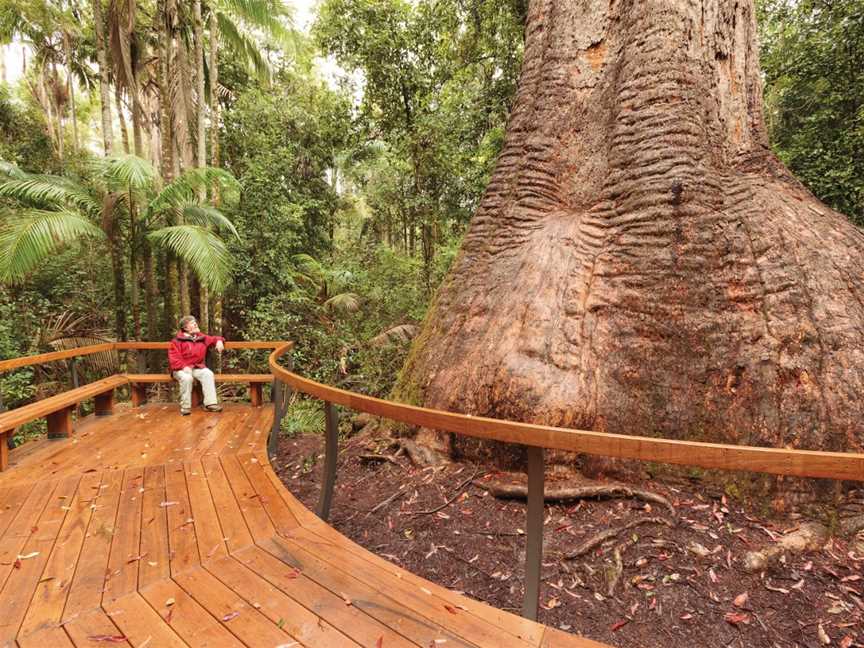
{"type": "Point", "coordinates": [301, 180]}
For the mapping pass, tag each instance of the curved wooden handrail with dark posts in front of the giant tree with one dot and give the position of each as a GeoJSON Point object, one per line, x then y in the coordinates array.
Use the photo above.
{"type": "Point", "coordinates": [536, 438]}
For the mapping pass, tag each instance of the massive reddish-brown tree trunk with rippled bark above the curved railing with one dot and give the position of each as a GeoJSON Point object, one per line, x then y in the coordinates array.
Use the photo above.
{"type": "Point", "coordinates": [641, 263]}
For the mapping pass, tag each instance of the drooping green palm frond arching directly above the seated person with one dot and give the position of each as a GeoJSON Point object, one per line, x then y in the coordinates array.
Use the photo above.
{"type": "Point", "coordinates": [203, 250]}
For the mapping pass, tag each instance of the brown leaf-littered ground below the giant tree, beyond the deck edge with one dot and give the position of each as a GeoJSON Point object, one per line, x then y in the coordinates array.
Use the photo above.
{"type": "Point", "coordinates": [677, 586]}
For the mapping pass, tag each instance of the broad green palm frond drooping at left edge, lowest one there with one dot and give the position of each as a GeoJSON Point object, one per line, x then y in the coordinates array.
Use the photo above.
{"type": "Point", "coordinates": [30, 236]}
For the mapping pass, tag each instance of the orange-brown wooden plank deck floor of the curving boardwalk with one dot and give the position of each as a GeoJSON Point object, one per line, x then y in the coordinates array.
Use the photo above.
{"type": "Point", "coordinates": [150, 529]}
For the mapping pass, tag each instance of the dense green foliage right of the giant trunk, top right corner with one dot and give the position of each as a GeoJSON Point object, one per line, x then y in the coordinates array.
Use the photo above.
{"type": "Point", "coordinates": [813, 60]}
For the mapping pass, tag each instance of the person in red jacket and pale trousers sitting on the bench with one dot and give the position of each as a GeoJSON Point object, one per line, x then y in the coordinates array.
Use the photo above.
{"type": "Point", "coordinates": [186, 359]}
